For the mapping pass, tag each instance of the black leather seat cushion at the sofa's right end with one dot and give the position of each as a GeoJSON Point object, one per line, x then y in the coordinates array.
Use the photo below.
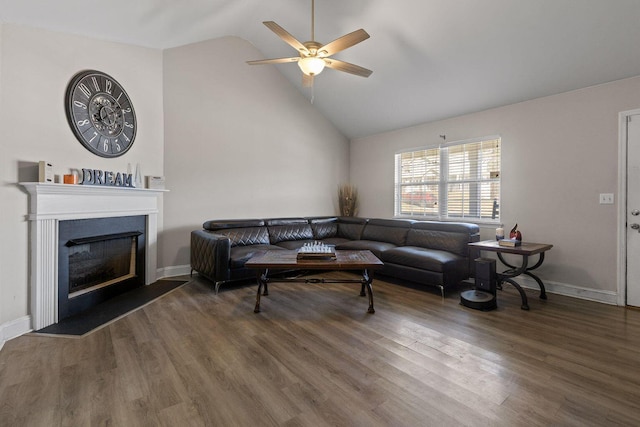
{"type": "Point", "coordinates": [423, 258]}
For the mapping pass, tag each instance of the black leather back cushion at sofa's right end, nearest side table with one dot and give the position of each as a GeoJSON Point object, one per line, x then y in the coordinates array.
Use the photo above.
{"type": "Point", "coordinates": [450, 237]}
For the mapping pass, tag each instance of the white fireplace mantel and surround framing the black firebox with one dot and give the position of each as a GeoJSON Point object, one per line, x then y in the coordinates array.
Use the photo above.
{"type": "Point", "coordinates": [50, 203]}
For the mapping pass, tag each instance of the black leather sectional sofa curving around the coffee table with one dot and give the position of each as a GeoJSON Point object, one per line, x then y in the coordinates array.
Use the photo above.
{"type": "Point", "coordinates": [427, 252]}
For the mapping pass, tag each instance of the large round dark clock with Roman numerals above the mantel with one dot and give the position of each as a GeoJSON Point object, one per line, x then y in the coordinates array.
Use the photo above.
{"type": "Point", "coordinates": [100, 114]}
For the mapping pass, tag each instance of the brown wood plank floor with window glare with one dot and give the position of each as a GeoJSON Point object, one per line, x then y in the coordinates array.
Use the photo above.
{"type": "Point", "coordinates": [314, 357]}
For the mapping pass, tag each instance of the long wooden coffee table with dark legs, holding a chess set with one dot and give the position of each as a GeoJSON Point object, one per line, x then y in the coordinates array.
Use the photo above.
{"type": "Point", "coordinates": [363, 261]}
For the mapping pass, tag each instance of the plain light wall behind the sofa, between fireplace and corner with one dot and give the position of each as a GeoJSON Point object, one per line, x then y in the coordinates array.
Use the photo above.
{"type": "Point", "coordinates": [240, 142]}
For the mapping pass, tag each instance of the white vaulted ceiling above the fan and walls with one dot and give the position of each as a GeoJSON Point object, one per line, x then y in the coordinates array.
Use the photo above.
{"type": "Point", "coordinates": [431, 59]}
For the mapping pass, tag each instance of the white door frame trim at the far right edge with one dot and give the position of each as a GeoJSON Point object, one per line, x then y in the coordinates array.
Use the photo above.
{"type": "Point", "coordinates": [621, 252]}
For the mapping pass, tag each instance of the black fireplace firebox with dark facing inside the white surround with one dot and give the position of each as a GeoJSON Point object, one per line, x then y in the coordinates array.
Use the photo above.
{"type": "Point", "coordinates": [98, 259]}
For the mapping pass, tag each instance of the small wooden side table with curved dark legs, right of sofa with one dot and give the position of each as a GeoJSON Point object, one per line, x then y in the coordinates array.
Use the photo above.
{"type": "Point", "coordinates": [524, 250]}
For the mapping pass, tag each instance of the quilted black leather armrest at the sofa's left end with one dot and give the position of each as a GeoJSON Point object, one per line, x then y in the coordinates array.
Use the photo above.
{"type": "Point", "coordinates": [210, 254]}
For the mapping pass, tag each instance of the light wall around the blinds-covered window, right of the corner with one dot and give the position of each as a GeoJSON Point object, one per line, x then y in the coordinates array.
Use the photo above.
{"type": "Point", "coordinates": [558, 154]}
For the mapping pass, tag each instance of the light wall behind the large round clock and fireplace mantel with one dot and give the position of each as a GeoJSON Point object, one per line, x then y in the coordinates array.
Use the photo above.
{"type": "Point", "coordinates": [35, 68]}
